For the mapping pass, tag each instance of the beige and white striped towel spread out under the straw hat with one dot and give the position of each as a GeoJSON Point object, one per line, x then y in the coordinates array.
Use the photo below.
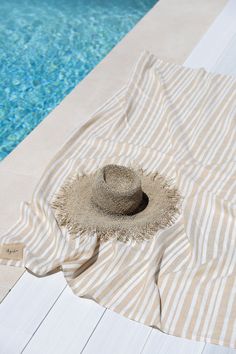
{"type": "Point", "coordinates": [180, 122]}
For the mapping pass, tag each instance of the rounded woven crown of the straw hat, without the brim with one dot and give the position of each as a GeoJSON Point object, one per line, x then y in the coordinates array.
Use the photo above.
{"type": "Point", "coordinates": [117, 190]}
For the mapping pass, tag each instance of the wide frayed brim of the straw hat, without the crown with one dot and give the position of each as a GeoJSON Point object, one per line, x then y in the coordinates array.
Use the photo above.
{"type": "Point", "coordinates": [75, 210]}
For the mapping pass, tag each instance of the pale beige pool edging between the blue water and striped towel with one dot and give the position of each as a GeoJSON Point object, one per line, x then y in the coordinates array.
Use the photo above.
{"type": "Point", "coordinates": [170, 30]}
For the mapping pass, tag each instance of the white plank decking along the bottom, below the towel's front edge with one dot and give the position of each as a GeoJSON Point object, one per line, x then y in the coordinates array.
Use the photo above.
{"type": "Point", "coordinates": [42, 316]}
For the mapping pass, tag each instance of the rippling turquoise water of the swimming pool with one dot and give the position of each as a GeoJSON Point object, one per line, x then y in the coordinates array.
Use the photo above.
{"type": "Point", "coordinates": [46, 48]}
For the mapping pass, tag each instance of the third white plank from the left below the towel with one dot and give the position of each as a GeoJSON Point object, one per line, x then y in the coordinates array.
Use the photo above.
{"type": "Point", "coordinates": [117, 335]}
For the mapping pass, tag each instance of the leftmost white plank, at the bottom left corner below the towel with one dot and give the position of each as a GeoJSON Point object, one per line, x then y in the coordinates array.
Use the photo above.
{"type": "Point", "coordinates": [22, 311]}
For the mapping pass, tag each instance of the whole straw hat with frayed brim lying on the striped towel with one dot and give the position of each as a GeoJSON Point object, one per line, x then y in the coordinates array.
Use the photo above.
{"type": "Point", "coordinates": [116, 202]}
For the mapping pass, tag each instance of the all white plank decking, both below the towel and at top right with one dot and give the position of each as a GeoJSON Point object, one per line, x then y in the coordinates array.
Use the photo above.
{"type": "Point", "coordinates": [41, 315]}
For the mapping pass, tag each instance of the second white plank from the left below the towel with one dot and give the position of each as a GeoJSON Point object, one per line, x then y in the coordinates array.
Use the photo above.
{"type": "Point", "coordinates": [67, 327]}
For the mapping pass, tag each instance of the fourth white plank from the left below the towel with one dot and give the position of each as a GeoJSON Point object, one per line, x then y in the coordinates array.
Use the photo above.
{"type": "Point", "coordinates": [161, 343]}
